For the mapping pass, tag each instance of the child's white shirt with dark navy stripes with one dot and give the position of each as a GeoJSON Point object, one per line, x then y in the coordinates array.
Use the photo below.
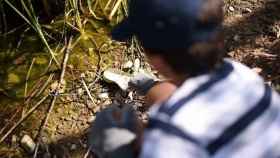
{"type": "Point", "coordinates": [230, 113]}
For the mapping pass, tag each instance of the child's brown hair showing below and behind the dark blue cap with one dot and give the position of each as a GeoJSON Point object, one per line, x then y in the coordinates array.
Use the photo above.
{"type": "Point", "coordinates": [200, 57]}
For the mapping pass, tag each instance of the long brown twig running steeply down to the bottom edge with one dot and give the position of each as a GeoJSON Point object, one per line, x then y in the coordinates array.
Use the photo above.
{"type": "Point", "coordinates": [56, 92]}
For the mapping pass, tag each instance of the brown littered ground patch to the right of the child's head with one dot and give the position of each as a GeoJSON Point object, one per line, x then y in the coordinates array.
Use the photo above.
{"type": "Point", "coordinates": [252, 33]}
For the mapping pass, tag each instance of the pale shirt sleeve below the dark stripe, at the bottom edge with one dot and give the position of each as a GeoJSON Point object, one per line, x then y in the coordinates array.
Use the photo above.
{"type": "Point", "coordinates": [158, 144]}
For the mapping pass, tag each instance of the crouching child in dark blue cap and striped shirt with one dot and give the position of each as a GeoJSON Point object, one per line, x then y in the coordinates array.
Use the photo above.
{"type": "Point", "coordinates": [212, 106]}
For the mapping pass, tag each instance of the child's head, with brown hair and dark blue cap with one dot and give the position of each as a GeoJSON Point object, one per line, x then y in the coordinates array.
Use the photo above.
{"type": "Point", "coordinates": [180, 37]}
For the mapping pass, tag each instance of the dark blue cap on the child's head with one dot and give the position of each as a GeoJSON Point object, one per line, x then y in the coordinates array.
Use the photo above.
{"type": "Point", "coordinates": [165, 24]}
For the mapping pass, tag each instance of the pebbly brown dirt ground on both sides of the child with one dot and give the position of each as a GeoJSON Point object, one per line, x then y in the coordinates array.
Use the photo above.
{"type": "Point", "coordinates": [252, 33]}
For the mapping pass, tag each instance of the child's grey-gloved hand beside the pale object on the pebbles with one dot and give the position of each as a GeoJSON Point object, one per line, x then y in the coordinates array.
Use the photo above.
{"type": "Point", "coordinates": [142, 82]}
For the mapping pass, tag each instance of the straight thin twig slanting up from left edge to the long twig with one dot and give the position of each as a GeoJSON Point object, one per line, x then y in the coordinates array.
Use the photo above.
{"type": "Point", "coordinates": [23, 118]}
